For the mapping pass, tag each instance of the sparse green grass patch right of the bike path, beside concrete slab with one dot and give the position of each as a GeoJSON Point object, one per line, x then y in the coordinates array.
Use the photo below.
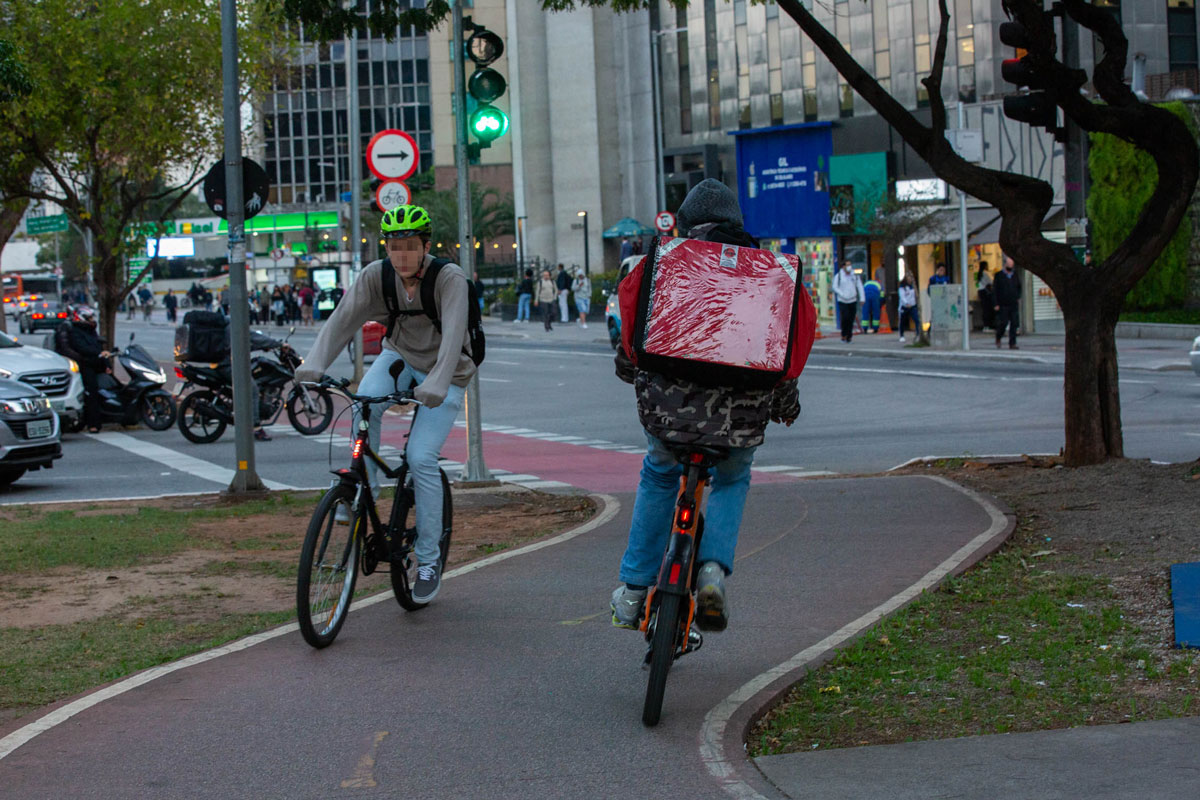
{"type": "Point", "coordinates": [1012, 646]}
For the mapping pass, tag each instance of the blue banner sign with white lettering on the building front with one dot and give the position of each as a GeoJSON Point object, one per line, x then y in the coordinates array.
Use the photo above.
{"type": "Point", "coordinates": [784, 181]}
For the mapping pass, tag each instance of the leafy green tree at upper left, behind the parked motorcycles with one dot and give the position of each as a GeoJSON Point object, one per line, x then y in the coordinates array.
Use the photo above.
{"type": "Point", "coordinates": [127, 117]}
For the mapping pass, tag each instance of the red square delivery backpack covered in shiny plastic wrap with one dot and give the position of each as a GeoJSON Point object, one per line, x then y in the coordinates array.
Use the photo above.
{"type": "Point", "coordinates": [719, 315]}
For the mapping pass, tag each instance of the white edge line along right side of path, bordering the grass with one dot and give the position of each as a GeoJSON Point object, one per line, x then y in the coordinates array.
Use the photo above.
{"type": "Point", "coordinates": [712, 737]}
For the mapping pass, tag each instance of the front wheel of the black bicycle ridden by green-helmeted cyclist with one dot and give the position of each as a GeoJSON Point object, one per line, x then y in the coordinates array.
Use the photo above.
{"type": "Point", "coordinates": [329, 563]}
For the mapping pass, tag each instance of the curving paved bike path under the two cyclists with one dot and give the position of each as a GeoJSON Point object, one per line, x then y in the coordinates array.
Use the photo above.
{"type": "Point", "coordinates": [512, 684]}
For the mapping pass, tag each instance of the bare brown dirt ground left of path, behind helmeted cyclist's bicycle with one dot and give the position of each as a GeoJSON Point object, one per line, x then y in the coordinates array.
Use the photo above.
{"type": "Point", "coordinates": [249, 564]}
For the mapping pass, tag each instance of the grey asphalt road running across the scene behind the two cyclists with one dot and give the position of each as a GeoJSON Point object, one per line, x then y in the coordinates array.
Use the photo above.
{"type": "Point", "coordinates": [861, 416]}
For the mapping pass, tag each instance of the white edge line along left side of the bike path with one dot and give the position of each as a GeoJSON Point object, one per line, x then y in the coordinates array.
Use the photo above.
{"type": "Point", "coordinates": [61, 715]}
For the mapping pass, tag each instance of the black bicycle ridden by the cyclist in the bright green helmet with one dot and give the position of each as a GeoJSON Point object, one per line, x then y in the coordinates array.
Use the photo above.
{"type": "Point", "coordinates": [331, 561]}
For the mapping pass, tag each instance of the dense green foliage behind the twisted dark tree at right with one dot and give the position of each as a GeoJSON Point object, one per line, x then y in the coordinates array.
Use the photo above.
{"type": "Point", "coordinates": [1124, 178]}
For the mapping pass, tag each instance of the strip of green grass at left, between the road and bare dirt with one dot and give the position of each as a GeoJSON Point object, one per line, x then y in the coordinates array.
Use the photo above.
{"type": "Point", "coordinates": [37, 542]}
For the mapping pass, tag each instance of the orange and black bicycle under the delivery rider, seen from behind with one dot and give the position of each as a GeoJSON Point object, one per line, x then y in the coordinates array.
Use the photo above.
{"type": "Point", "coordinates": [671, 601]}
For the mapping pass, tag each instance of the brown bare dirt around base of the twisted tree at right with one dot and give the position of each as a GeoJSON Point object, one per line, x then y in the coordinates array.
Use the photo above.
{"type": "Point", "coordinates": [1127, 521]}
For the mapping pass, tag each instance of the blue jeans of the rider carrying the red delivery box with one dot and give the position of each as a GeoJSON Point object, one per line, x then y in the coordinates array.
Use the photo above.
{"type": "Point", "coordinates": [655, 512]}
